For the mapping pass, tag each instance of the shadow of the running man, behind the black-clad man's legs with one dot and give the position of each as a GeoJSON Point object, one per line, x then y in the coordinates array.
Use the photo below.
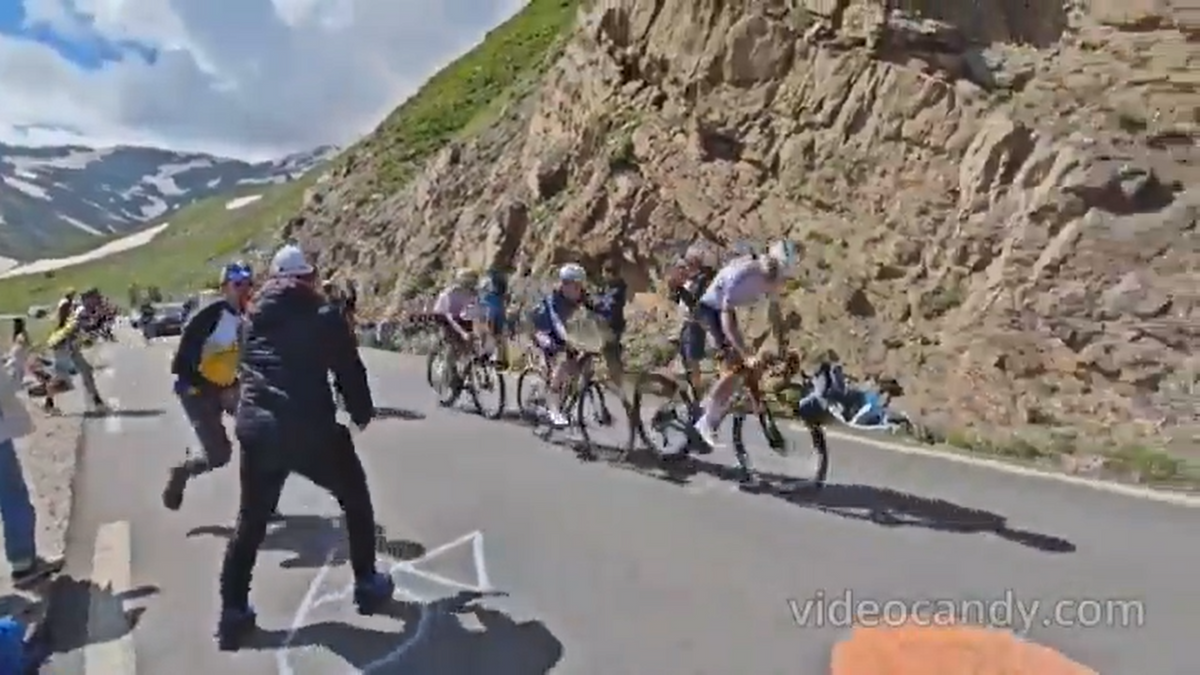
{"type": "Point", "coordinates": [310, 540]}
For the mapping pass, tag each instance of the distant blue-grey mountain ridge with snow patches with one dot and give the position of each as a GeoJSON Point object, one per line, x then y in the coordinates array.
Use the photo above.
{"type": "Point", "coordinates": [69, 199]}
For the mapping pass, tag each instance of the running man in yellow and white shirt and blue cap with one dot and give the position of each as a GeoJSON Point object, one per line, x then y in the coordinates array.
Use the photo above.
{"type": "Point", "coordinates": [206, 369]}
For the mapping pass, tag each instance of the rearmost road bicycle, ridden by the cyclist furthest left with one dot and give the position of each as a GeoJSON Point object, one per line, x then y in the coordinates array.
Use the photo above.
{"type": "Point", "coordinates": [476, 374]}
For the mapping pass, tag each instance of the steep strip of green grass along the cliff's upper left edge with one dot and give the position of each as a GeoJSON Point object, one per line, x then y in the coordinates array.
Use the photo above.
{"type": "Point", "coordinates": [465, 91]}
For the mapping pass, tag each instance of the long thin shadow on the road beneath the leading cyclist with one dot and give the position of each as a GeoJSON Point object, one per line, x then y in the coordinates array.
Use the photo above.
{"type": "Point", "coordinates": [883, 506]}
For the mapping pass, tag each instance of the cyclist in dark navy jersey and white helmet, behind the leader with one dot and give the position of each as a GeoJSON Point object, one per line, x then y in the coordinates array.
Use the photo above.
{"type": "Point", "coordinates": [549, 321]}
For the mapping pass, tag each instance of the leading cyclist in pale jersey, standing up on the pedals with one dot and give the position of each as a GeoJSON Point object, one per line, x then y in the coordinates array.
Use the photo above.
{"type": "Point", "coordinates": [741, 283]}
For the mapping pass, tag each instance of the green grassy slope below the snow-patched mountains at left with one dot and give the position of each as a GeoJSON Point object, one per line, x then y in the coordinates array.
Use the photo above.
{"type": "Point", "coordinates": [184, 258]}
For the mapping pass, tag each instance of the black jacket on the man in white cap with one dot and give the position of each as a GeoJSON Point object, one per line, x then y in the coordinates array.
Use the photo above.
{"type": "Point", "coordinates": [291, 343]}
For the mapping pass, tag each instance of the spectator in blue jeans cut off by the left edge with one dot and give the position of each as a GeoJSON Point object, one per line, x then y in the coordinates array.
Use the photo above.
{"type": "Point", "coordinates": [16, 507]}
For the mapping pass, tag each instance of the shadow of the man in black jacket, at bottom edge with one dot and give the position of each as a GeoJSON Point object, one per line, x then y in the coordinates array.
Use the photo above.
{"type": "Point", "coordinates": [434, 644]}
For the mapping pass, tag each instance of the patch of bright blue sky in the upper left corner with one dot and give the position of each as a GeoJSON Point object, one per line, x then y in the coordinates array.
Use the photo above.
{"type": "Point", "coordinates": [88, 51]}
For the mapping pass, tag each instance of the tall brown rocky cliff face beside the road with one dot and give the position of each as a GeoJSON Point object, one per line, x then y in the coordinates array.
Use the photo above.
{"type": "Point", "coordinates": [999, 200]}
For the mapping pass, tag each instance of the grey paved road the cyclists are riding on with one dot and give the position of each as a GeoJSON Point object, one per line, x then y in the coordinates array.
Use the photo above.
{"type": "Point", "coordinates": [607, 570]}
